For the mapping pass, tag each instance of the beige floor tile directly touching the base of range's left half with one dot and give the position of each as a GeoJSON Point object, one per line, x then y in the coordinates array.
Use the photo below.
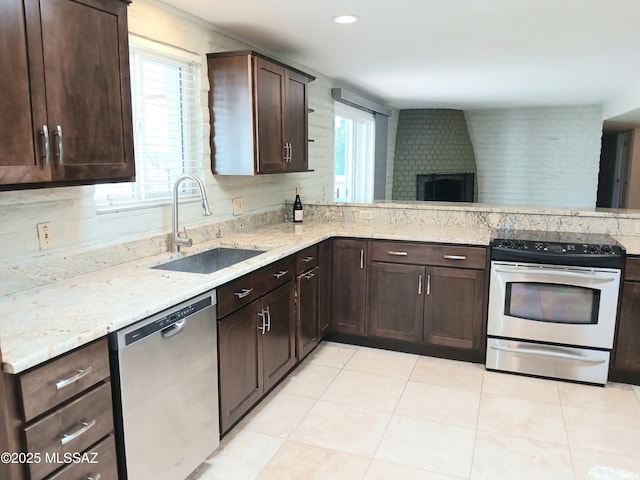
{"type": "Point", "coordinates": [527, 388]}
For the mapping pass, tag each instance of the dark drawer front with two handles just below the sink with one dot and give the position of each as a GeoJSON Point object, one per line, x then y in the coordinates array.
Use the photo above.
{"type": "Point", "coordinates": [244, 290]}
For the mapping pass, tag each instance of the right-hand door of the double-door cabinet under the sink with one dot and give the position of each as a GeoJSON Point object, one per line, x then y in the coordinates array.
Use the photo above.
{"type": "Point", "coordinates": [278, 339]}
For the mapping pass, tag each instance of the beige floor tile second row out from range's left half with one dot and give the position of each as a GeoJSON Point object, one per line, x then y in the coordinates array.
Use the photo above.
{"type": "Point", "coordinates": [522, 418]}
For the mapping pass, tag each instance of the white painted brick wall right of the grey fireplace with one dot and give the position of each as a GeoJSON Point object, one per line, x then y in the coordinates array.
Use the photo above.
{"type": "Point", "coordinates": [537, 156]}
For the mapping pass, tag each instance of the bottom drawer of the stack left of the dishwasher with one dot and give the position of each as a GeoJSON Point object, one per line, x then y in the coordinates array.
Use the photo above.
{"type": "Point", "coordinates": [99, 461]}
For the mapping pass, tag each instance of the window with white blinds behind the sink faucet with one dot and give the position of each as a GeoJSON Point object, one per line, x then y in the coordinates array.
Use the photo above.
{"type": "Point", "coordinates": [167, 127]}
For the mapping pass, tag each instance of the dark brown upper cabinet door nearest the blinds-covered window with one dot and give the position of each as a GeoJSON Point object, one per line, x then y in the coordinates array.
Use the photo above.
{"type": "Point", "coordinates": [88, 88]}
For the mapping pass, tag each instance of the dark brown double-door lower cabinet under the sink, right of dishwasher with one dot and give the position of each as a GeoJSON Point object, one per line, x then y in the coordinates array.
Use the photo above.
{"type": "Point", "coordinates": [255, 350]}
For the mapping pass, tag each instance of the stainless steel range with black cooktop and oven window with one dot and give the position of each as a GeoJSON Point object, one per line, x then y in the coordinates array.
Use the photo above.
{"type": "Point", "coordinates": [553, 299]}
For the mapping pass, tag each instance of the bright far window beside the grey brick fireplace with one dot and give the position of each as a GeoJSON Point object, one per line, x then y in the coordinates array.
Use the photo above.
{"type": "Point", "coordinates": [354, 154]}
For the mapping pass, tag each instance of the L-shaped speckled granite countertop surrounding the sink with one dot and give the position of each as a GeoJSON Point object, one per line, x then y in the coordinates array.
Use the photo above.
{"type": "Point", "coordinates": [50, 319]}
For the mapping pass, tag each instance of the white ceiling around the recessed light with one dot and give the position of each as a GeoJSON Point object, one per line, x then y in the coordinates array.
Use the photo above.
{"type": "Point", "coordinates": [463, 54]}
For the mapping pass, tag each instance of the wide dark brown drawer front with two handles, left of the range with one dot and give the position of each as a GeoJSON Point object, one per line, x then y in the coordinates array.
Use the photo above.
{"type": "Point", "coordinates": [429, 254]}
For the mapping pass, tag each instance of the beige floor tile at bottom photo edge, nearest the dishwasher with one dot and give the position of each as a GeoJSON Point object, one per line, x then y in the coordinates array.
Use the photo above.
{"type": "Point", "coordinates": [241, 456]}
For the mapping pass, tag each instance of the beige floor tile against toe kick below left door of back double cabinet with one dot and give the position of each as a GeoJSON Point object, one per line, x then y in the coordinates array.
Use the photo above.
{"type": "Point", "coordinates": [382, 362]}
